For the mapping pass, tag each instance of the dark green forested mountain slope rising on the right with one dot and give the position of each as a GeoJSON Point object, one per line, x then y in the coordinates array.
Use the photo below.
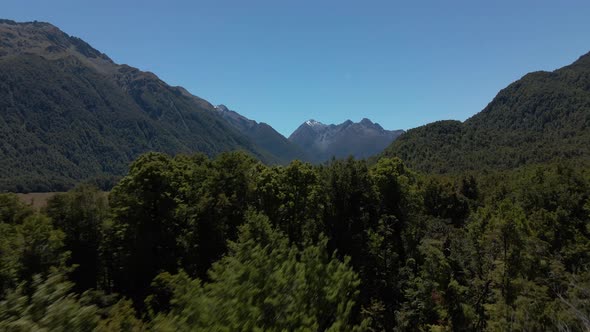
{"type": "Point", "coordinates": [544, 116]}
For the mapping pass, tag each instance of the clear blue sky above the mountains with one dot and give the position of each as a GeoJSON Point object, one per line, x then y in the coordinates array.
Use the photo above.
{"type": "Point", "coordinates": [400, 63]}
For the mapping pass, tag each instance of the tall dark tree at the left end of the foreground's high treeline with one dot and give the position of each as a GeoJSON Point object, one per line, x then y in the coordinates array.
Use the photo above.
{"type": "Point", "coordinates": [141, 237]}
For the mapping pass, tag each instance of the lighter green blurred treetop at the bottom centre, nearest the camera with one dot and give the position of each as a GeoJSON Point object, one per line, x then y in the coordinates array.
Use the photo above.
{"type": "Point", "coordinates": [266, 284]}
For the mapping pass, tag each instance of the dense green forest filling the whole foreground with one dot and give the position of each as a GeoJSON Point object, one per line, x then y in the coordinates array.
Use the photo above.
{"type": "Point", "coordinates": [227, 244]}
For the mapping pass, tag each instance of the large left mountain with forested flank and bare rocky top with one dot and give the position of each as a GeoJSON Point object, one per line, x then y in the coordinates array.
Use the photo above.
{"type": "Point", "coordinates": [69, 113]}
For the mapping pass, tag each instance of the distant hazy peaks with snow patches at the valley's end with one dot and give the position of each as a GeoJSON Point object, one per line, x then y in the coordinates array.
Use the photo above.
{"type": "Point", "coordinates": [361, 140]}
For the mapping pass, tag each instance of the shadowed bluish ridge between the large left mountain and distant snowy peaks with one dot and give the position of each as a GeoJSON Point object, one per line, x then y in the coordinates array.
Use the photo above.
{"type": "Point", "coordinates": [264, 136]}
